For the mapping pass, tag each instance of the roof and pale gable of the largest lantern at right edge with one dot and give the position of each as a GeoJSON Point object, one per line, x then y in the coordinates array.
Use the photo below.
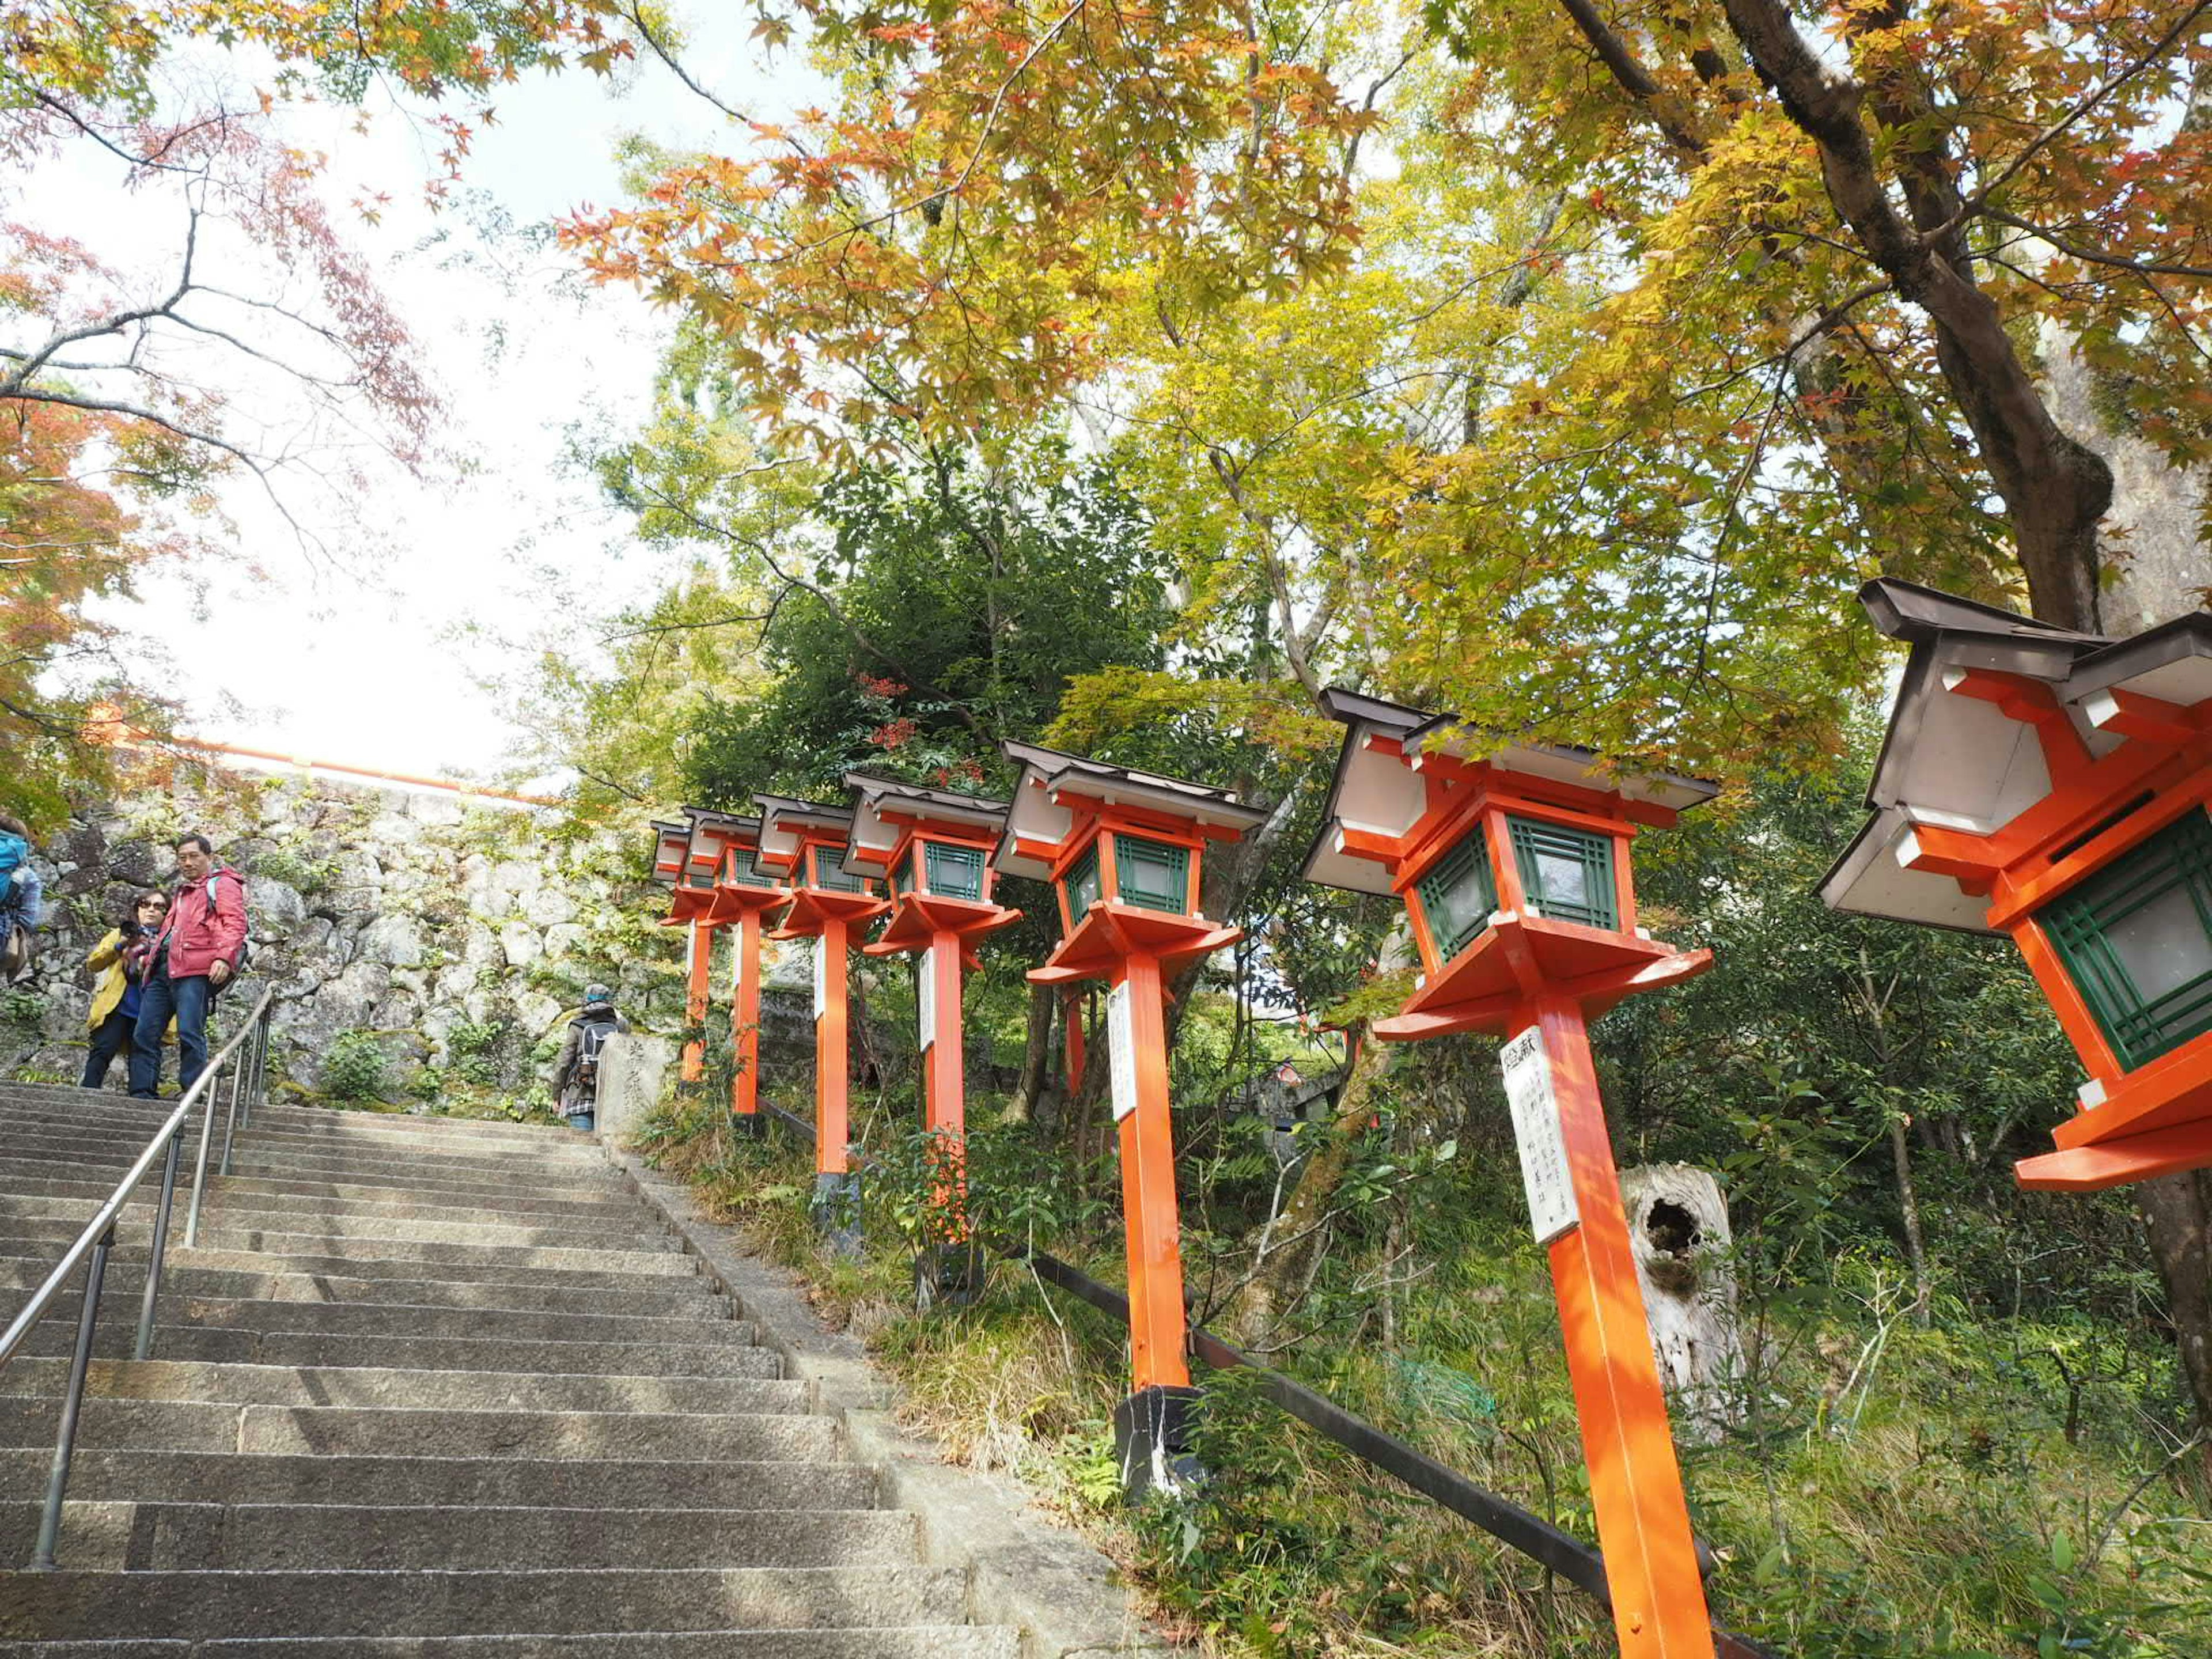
{"type": "Point", "coordinates": [1965, 755]}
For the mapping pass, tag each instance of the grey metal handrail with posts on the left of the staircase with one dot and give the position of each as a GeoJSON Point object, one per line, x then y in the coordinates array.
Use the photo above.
{"type": "Point", "coordinates": [98, 1240]}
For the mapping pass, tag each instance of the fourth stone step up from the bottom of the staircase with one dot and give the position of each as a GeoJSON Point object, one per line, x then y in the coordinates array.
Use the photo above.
{"type": "Point", "coordinates": [191, 1477]}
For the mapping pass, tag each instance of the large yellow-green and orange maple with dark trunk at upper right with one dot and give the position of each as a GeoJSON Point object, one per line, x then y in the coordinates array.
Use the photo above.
{"type": "Point", "coordinates": [1742, 302]}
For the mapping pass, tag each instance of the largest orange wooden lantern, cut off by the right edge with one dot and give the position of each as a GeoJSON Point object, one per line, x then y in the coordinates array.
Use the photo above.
{"type": "Point", "coordinates": [2056, 786]}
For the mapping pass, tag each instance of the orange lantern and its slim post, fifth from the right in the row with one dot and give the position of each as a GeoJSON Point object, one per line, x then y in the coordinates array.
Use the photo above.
{"type": "Point", "coordinates": [804, 844]}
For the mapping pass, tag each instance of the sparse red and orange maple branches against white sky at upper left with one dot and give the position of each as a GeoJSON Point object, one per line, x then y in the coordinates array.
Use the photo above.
{"type": "Point", "coordinates": [258, 346]}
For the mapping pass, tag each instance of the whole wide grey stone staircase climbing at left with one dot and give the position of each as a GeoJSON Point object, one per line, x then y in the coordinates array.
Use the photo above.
{"type": "Point", "coordinates": [426, 1388]}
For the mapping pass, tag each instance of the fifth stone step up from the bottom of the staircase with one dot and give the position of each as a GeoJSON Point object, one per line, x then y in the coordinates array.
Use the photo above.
{"type": "Point", "coordinates": [390, 1432]}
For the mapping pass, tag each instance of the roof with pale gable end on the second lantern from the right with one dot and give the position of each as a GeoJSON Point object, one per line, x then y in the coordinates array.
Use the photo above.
{"type": "Point", "coordinates": [1379, 789]}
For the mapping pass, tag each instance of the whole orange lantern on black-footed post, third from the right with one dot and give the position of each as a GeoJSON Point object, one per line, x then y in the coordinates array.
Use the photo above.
{"type": "Point", "coordinates": [1125, 857]}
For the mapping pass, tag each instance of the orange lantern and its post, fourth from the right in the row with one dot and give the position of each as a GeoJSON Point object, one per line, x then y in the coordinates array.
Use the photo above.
{"type": "Point", "coordinates": [935, 851]}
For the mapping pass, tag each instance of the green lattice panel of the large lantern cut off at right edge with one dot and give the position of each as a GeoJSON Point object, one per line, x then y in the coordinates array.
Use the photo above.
{"type": "Point", "coordinates": [2138, 941]}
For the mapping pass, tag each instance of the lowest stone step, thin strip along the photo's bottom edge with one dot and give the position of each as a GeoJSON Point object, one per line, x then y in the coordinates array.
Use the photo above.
{"type": "Point", "coordinates": [906, 1642]}
